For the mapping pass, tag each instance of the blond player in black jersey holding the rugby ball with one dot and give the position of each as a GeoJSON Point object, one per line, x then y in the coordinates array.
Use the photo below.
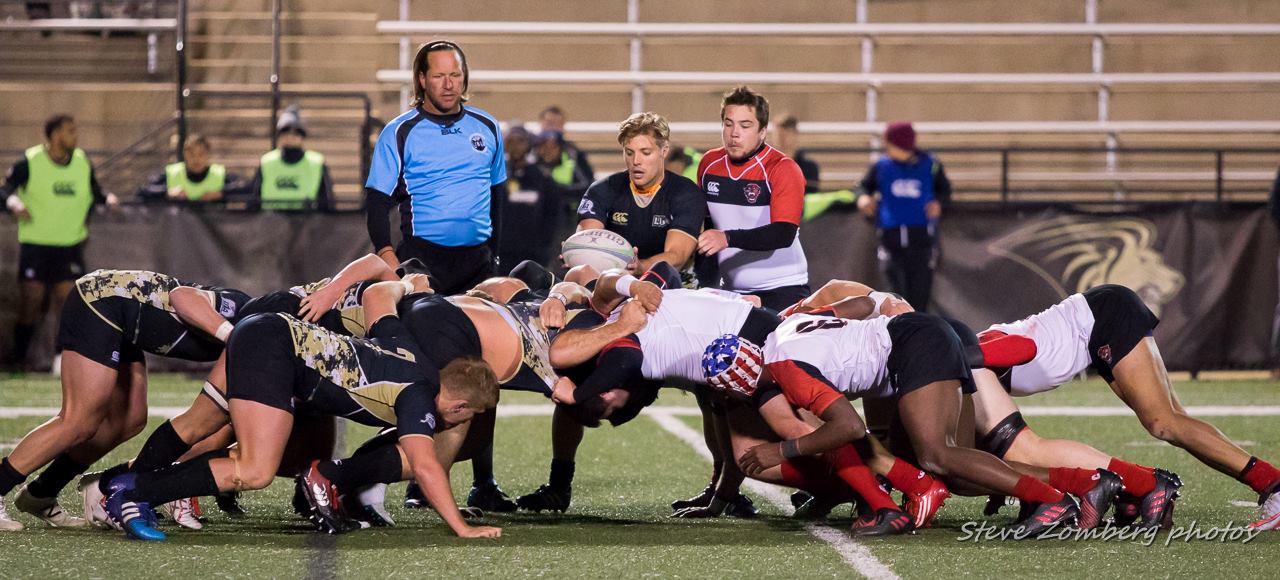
{"type": "Point", "coordinates": [660, 213]}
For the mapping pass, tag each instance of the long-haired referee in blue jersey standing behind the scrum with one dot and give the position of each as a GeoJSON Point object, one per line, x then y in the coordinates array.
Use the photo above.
{"type": "Point", "coordinates": [444, 163]}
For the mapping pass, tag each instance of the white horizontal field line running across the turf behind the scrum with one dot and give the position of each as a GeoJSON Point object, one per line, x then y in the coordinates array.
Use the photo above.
{"type": "Point", "coordinates": [546, 409]}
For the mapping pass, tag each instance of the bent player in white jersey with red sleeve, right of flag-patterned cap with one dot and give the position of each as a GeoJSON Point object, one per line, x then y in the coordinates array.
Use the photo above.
{"type": "Point", "coordinates": [925, 366]}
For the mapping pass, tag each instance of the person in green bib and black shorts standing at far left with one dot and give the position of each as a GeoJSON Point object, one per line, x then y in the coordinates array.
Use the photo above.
{"type": "Point", "coordinates": [51, 191]}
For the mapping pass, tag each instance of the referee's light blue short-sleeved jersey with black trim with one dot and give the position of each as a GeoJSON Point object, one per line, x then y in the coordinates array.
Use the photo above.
{"type": "Point", "coordinates": [441, 170]}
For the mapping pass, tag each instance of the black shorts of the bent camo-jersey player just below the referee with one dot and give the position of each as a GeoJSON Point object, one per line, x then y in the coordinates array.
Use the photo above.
{"type": "Point", "coordinates": [441, 330]}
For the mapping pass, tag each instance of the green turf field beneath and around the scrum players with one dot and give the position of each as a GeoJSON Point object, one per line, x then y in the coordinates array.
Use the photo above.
{"type": "Point", "coordinates": [619, 524]}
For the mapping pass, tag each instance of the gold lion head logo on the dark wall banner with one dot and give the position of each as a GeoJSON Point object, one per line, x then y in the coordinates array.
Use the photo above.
{"type": "Point", "coordinates": [1075, 254]}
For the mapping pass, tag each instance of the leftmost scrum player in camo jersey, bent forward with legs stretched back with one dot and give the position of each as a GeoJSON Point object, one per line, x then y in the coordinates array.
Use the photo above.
{"type": "Point", "coordinates": [109, 321]}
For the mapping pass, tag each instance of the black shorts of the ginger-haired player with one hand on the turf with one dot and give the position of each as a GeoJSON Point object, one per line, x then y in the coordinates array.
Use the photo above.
{"type": "Point", "coordinates": [262, 366]}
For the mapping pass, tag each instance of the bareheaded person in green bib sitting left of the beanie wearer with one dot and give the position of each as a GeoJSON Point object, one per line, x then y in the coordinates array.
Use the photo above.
{"type": "Point", "coordinates": [194, 180]}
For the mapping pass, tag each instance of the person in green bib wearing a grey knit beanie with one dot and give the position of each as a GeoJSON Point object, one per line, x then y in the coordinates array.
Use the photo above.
{"type": "Point", "coordinates": [290, 177]}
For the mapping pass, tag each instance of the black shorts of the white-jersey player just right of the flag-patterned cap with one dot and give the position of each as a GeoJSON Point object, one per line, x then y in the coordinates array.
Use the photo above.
{"type": "Point", "coordinates": [926, 350]}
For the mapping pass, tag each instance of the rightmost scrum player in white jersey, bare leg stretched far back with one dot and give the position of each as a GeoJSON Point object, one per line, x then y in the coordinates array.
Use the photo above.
{"type": "Point", "coordinates": [1109, 330]}
